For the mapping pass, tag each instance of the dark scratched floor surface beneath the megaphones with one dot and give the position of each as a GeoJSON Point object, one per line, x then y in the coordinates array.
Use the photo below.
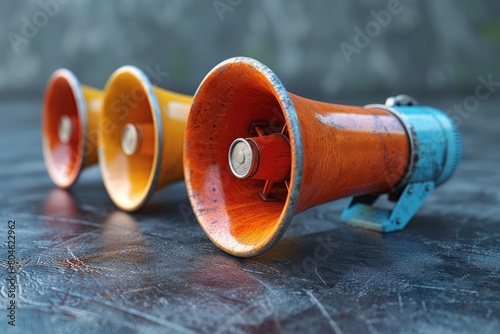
{"type": "Point", "coordinates": [85, 267]}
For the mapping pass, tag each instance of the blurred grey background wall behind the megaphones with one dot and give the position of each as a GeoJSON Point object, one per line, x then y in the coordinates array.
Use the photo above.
{"type": "Point", "coordinates": [423, 47]}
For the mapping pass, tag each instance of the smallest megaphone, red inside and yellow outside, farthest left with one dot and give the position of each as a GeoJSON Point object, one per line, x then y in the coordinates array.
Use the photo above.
{"type": "Point", "coordinates": [69, 127]}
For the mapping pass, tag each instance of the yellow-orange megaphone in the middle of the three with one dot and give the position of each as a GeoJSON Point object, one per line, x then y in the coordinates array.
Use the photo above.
{"type": "Point", "coordinates": [141, 138]}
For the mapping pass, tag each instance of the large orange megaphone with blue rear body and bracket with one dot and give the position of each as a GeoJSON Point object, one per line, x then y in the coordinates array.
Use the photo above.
{"type": "Point", "coordinates": [249, 169]}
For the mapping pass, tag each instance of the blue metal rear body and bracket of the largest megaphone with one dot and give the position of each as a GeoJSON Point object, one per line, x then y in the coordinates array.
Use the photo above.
{"type": "Point", "coordinates": [436, 151]}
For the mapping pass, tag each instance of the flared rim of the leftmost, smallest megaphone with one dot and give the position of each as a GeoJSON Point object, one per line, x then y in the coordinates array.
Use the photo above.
{"type": "Point", "coordinates": [68, 177]}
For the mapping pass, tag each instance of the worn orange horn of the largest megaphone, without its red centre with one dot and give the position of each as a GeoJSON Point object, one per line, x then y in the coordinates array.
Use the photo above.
{"type": "Point", "coordinates": [337, 151]}
